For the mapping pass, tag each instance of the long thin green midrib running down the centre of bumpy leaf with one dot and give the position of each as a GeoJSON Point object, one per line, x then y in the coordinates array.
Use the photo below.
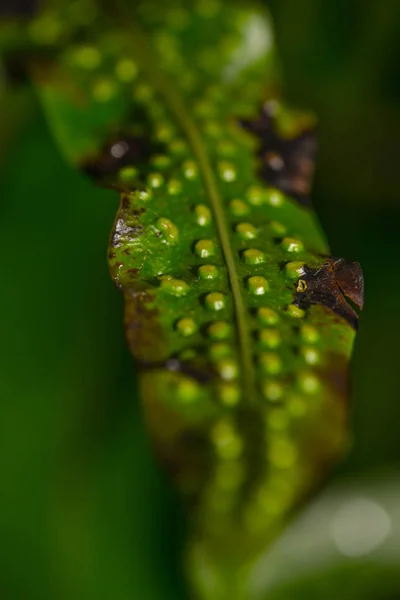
{"type": "Point", "coordinates": [142, 53]}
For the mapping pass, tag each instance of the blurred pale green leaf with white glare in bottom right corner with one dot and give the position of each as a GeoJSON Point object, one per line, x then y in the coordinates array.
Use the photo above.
{"type": "Point", "coordinates": [345, 544]}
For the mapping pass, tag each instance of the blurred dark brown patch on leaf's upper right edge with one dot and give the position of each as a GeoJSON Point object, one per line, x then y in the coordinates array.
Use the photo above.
{"type": "Point", "coordinates": [287, 163]}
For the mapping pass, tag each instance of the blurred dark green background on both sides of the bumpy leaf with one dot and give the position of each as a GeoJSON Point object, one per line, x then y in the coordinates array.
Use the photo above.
{"type": "Point", "coordinates": [84, 512]}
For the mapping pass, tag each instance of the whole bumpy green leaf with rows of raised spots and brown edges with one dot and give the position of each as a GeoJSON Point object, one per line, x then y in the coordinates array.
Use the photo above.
{"type": "Point", "coordinates": [240, 324]}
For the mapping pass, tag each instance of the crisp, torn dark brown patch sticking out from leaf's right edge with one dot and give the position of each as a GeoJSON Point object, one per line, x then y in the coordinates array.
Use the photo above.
{"type": "Point", "coordinates": [338, 285]}
